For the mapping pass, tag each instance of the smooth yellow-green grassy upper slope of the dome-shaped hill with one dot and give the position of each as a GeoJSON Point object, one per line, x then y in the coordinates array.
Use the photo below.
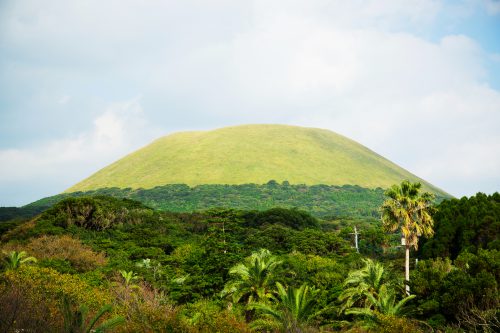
{"type": "Point", "coordinates": [251, 154]}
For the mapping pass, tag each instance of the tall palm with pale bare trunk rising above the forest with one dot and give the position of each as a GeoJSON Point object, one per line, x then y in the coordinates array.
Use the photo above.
{"type": "Point", "coordinates": [410, 211]}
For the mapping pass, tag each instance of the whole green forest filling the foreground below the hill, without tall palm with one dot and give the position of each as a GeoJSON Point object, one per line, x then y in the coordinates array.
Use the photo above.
{"type": "Point", "coordinates": [101, 263]}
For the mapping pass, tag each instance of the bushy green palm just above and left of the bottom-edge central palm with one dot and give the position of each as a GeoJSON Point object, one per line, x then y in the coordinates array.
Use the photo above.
{"type": "Point", "coordinates": [252, 280]}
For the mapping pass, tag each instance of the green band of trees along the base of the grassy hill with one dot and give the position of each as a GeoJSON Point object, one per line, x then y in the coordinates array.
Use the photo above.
{"type": "Point", "coordinates": [323, 201]}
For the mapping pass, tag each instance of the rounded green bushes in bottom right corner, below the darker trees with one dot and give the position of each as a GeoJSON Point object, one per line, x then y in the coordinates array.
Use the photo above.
{"type": "Point", "coordinates": [465, 291]}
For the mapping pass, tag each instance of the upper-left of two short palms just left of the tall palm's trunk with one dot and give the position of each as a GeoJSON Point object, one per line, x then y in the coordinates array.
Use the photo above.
{"type": "Point", "coordinates": [360, 283]}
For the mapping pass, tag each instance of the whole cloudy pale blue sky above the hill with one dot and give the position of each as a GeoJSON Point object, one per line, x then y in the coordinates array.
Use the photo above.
{"type": "Point", "coordinates": [82, 83]}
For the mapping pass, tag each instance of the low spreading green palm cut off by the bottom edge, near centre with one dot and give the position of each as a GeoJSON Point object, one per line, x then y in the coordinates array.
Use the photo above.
{"type": "Point", "coordinates": [294, 309]}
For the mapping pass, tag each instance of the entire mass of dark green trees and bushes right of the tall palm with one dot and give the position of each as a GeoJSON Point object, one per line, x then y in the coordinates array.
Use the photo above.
{"type": "Point", "coordinates": [465, 290]}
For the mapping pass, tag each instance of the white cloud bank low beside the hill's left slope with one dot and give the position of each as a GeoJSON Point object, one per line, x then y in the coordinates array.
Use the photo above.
{"type": "Point", "coordinates": [118, 130]}
